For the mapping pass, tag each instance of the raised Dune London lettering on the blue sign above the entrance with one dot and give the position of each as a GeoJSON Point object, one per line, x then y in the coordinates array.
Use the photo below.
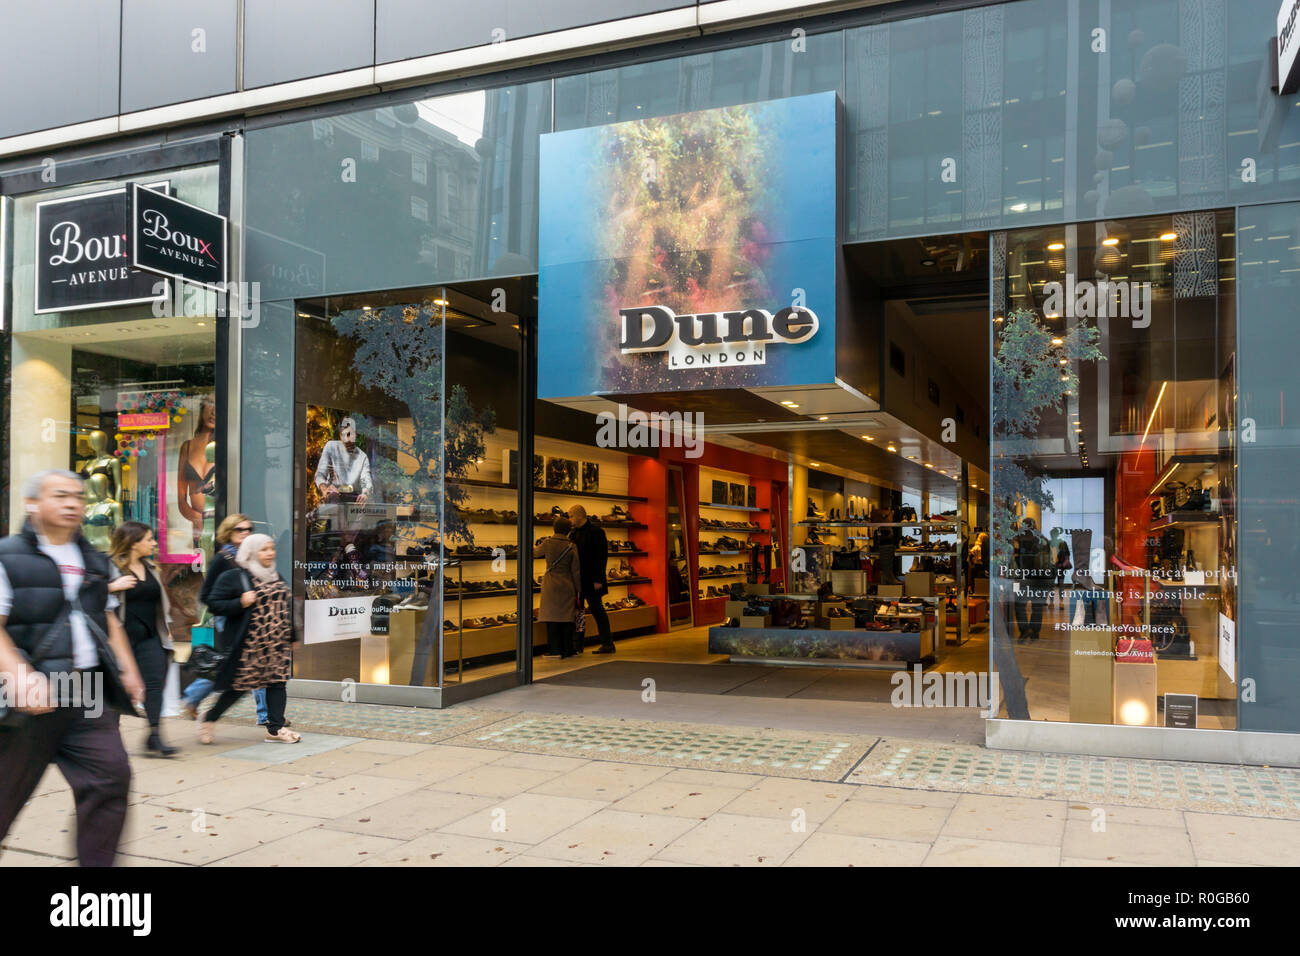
{"type": "Point", "coordinates": [714, 339]}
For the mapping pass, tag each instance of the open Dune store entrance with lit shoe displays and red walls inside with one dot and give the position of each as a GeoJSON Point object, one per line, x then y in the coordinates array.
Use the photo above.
{"type": "Point", "coordinates": [831, 535]}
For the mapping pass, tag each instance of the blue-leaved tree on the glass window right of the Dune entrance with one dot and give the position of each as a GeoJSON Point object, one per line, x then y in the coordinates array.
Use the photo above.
{"type": "Point", "coordinates": [1029, 380]}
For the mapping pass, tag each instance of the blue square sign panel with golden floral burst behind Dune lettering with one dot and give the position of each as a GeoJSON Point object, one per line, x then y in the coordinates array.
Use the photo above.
{"type": "Point", "coordinates": [707, 213]}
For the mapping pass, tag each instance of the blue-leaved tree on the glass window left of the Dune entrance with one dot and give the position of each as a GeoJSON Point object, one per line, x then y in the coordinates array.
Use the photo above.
{"type": "Point", "coordinates": [400, 352]}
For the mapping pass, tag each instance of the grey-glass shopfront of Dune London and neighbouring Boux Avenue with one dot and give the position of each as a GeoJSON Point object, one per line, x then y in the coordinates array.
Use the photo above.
{"type": "Point", "coordinates": [951, 341]}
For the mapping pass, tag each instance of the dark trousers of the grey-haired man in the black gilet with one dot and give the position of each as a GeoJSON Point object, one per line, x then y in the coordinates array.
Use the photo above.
{"type": "Point", "coordinates": [90, 755]}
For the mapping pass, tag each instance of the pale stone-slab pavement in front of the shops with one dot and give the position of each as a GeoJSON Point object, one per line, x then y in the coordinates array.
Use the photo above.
{"type": "Point", "coordinates": [521, 782]}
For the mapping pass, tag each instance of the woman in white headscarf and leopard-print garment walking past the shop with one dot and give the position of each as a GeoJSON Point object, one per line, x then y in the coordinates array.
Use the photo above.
{"type": "Point", "coordinates": [259, 634]}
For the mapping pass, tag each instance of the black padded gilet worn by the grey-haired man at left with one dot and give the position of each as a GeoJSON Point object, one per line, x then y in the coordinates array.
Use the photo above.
{"type": "Point", "coordinates": [38, 598]}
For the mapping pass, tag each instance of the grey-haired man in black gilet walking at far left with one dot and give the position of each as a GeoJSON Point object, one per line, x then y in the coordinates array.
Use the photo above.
{"type": "Point", "coordinates": [51, 651]}
